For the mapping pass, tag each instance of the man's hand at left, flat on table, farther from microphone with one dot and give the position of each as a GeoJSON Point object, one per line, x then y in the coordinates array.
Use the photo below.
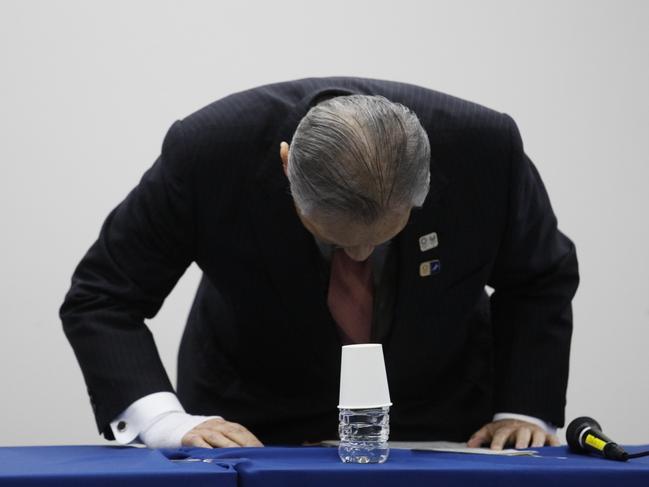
{"type": "Point", "coordinates": [219, 433]}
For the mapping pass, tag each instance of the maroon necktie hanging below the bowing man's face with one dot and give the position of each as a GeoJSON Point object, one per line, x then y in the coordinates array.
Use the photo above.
{"type": "Point", "coordinates": [350, 297]}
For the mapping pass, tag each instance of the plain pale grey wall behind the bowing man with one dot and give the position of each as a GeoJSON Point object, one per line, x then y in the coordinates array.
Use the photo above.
{"type": "Point", "coordinates": [88, 89]}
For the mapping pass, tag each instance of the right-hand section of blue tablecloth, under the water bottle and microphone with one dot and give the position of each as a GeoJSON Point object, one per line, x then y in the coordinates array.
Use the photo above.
{"type": "Point", "coordinates": [315, 467]}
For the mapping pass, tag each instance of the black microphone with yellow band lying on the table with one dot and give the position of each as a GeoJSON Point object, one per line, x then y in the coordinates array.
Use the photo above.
{"type": "Point", "coordinates": [585, 435]}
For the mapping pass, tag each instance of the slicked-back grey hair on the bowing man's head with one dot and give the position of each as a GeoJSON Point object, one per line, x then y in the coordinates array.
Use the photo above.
{"type": "Point", "coordinates": [358, 157]}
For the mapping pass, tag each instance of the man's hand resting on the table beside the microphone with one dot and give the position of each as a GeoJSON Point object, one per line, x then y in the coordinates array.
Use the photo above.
{"type": "Point", "coordinates": [512, 431]}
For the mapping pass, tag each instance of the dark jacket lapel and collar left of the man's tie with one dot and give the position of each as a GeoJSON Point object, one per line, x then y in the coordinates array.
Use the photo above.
{"type": "Point", "coordinates": [290, 252]}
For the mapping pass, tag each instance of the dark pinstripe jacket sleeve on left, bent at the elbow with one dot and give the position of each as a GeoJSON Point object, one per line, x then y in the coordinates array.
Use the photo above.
{"type": "Point", "coordinates": [144, 246]}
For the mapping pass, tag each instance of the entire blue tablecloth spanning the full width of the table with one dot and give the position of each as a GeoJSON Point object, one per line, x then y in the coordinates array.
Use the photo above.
{"type": "Point", "coordinates": [310, 466]}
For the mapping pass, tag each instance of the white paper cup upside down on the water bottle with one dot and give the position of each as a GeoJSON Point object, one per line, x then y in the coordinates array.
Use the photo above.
{"type": "Point", "coordinates": [363, 381]}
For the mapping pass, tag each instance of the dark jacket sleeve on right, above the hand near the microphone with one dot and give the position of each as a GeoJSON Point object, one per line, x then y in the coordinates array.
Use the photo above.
{"type": "Point", "coordinates": [535, 278]}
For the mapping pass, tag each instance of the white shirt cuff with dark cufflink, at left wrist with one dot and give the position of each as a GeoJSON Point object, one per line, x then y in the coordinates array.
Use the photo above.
{"type": "Point", "coordinates": [142, 414]}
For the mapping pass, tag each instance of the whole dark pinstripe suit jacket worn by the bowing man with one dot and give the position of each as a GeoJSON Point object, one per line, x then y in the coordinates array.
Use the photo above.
{"type": "Point", "coordinates": [260, 346]}
